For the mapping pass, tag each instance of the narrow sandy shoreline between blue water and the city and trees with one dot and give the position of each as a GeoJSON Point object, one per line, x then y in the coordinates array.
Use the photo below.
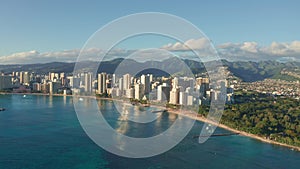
{"type": "Point", "coordinates": [182, 113]}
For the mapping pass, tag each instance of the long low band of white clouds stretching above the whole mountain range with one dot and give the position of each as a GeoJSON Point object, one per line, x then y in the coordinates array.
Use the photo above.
{"type": "Point", "coordinates": [283, 51]}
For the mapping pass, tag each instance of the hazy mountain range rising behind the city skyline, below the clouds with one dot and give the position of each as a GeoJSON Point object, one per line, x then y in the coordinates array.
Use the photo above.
{"type": "Point", "coordinates": [247, 71]}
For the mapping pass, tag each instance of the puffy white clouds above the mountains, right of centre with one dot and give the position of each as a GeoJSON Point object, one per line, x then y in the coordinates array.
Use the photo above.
{"type": "Point", "coordinates": [242, 51]}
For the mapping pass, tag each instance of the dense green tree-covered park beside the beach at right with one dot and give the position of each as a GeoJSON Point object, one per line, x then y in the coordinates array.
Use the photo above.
{"type": "Point", "coordinates": [272, 117]}
